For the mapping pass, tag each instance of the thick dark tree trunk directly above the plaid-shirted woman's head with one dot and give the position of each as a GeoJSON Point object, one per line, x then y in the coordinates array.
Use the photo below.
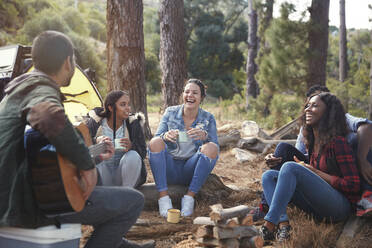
{"type": "Point", "coordinates": [318, 42]}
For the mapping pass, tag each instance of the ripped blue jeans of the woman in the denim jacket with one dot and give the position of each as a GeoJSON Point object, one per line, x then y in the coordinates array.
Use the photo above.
{"type": "Point", "coordinates": [193, 171]}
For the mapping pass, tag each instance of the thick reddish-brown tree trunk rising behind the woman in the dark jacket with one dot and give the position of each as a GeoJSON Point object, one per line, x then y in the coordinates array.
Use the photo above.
{"type": "Point", "coordinates": [125, 53]}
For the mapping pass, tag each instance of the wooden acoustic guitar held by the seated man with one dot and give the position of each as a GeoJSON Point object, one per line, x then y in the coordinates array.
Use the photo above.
{"type": "Point", "coordinates": [56, 180]}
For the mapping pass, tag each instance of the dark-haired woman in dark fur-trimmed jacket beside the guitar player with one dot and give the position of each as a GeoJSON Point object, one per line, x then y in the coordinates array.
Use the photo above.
{"type": "Point", "coordinates": [126, 167]}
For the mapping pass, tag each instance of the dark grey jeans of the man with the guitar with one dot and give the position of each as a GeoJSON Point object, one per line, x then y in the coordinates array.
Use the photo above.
{"type": "Point", "coordinates": [112, 211]}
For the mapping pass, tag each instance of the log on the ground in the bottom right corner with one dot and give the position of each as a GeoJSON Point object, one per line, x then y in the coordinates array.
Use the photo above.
{"type": "Point", "coordinates": [352, 226]}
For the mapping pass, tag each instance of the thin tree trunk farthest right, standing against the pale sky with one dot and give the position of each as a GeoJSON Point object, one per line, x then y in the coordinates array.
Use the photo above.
{"type": "Point", "coordinates": [342, 44]}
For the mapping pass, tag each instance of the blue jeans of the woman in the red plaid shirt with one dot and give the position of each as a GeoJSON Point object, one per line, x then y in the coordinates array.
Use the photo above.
{"type": "Point", "coordinates": [306, 190]}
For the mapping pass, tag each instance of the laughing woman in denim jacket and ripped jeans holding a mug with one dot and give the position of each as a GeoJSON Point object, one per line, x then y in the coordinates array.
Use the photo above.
{"type": "Point", "coordinates": [184, 149]}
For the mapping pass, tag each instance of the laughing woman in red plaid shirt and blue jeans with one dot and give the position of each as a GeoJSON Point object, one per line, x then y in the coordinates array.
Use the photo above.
{"type": "Point", "coordinates": [329, 186]}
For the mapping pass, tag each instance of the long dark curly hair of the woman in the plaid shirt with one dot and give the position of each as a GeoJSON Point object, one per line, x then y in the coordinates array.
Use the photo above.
{"type": "Point", "coordinates": [331, 124]}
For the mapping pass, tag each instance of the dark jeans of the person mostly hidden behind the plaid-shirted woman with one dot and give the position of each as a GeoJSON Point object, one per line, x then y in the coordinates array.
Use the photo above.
{"type": "Point", "coordinates": [286, 152]}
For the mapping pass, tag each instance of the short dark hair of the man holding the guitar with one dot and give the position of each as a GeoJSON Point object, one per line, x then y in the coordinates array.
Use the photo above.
{"type": "Point", "coordinates": [50, 50]}
